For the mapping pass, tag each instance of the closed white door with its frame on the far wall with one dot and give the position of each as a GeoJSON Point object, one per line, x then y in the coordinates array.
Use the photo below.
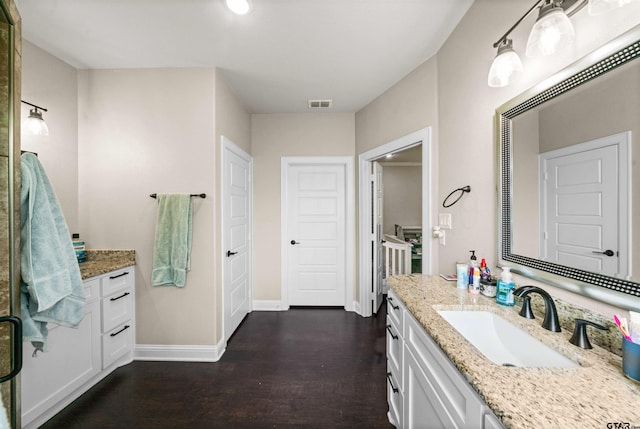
{"type": "Point", "coordinates": [317, 231]}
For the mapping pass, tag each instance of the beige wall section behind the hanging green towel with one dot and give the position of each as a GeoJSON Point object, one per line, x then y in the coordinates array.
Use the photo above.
{"type": "Point", "coordinates": [146, 131]}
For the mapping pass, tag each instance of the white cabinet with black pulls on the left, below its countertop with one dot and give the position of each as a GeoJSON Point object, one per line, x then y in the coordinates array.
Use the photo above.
{"type": "Point", "coordinates": [79, 358]}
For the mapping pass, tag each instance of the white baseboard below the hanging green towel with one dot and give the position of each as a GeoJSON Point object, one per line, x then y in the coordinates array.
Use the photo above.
{"type": "Point", "coordinates": [182, 353]}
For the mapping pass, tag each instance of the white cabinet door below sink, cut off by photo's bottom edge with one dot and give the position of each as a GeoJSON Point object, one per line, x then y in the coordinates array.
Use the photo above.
{"type": "Point", "coordinates": [422, 406]}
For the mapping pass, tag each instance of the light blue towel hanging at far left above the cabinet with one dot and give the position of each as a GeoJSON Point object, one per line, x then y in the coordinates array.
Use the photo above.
{"type": "Point", "coordinates": [51, 285]}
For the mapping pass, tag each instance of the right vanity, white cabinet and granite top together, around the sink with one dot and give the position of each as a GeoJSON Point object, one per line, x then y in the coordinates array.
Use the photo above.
{"type": "Point", "coordinates": [436, 375]}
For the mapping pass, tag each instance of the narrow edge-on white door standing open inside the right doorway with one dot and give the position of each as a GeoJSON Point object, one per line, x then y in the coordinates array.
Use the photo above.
{"type": "Point", "coordinates": [377, 224]}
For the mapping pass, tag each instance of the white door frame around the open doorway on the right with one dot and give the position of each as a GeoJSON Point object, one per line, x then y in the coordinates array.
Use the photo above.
{"type": "Point", "coordinates": [369, 289]}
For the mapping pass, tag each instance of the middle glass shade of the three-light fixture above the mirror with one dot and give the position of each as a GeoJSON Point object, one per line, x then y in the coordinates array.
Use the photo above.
{"type": "Point", "coordinates": [552, 31]}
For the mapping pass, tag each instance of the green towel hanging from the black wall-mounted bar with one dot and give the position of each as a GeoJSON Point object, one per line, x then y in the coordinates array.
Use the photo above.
{"type": "Point", "coordinates": [172, 250]}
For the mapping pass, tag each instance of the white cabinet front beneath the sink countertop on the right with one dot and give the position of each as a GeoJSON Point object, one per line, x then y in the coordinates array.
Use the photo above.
{"type": "Point", "coordinates": [431, 392]}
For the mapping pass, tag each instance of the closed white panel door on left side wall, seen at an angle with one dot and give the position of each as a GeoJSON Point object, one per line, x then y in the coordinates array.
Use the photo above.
{"type": "Point", "coordinates": [237, 215]}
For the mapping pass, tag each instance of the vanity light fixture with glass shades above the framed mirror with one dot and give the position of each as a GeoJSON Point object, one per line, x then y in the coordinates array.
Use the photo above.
{"type": "Point", "coordinates": [551, 32]}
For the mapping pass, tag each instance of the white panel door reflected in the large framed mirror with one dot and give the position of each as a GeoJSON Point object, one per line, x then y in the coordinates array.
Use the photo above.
{"type": "Point", "coordinates": [581, 197]}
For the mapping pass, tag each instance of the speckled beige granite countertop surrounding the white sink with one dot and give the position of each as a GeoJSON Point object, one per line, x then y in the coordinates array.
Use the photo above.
{"type": "Point", "coordinates": [590, 396]}
